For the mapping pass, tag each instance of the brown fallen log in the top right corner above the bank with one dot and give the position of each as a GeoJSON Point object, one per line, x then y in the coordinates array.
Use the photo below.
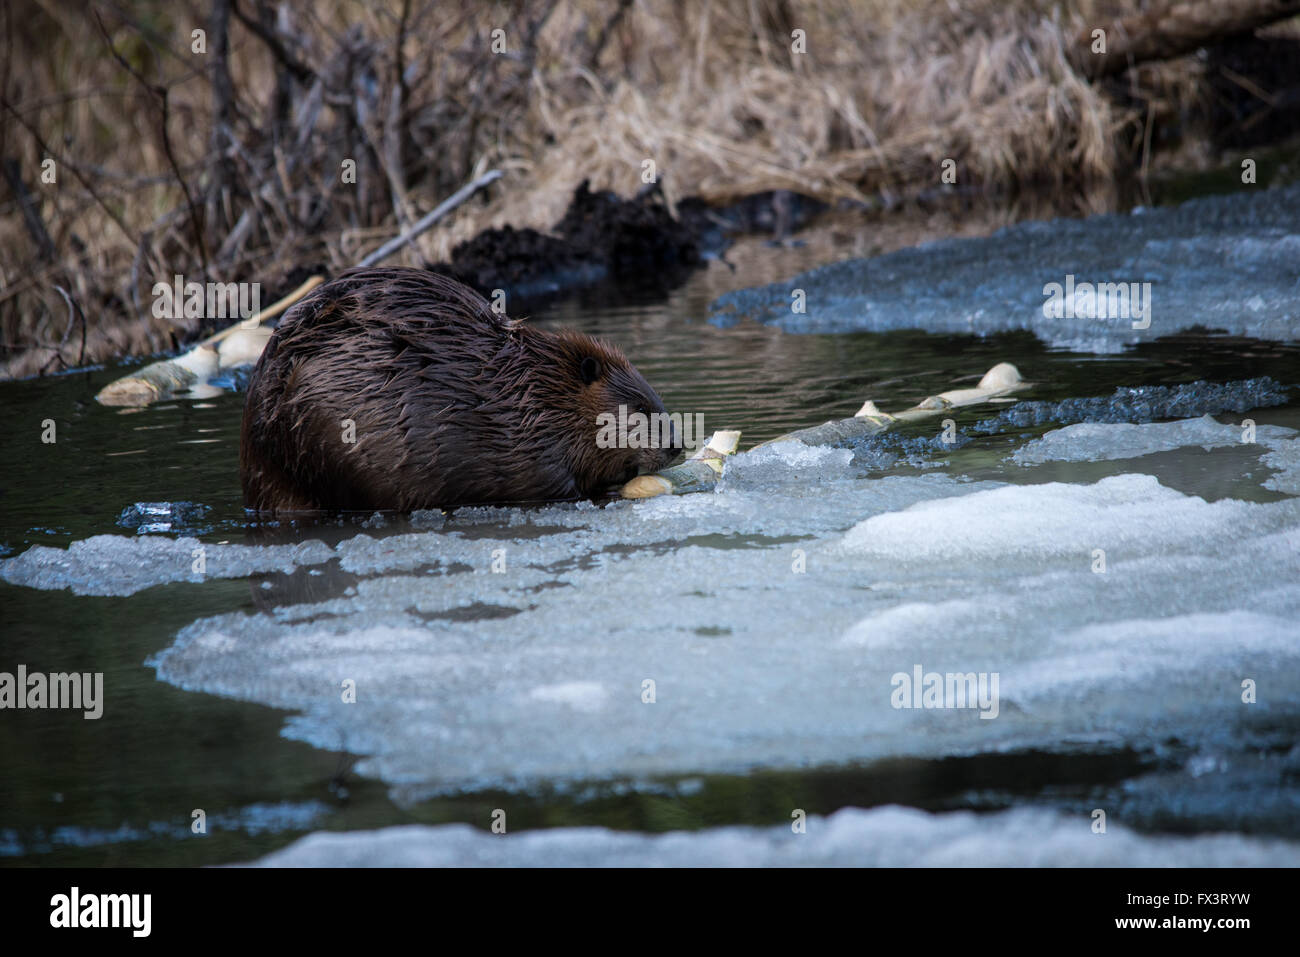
{"type": "Point", "coordinates": [1173, 31]}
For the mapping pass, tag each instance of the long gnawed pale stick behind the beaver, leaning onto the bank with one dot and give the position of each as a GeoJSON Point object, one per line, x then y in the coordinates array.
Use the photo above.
{"type": "Point", "coordinates": [242, 343]}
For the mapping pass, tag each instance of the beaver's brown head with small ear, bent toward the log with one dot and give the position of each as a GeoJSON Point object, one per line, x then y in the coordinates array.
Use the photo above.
{"type": "Point", "coordinates": [623, 426]}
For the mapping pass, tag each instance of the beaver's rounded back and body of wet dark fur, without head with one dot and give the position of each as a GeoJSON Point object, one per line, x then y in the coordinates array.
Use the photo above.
{"type": "Point", "coordinates": [395, 389]}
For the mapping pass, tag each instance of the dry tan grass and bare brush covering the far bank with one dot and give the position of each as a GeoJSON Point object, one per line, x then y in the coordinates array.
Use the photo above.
{"type": "Point", "coordinates": [710, 92]}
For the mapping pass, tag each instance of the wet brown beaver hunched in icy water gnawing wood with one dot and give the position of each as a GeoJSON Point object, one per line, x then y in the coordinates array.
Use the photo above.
{"type": "Point", "coordinates": [401, 389]}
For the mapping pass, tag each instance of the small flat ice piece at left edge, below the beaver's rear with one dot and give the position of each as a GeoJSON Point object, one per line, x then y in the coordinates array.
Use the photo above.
{"type": "Point", "coordinates": [112, 565]}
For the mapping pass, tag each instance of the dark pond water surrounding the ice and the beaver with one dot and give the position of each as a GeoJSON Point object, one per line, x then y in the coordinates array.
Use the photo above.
{"type": "Point", "coordinates": [122, 790]}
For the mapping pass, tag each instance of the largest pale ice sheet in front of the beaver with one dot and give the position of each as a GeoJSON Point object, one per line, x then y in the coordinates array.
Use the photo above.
{"type": "Point", "coordinates": [772, 618]}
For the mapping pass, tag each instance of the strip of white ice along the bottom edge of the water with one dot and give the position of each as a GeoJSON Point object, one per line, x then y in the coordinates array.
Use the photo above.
{"type": "Point", "coordinates": [851, 838]}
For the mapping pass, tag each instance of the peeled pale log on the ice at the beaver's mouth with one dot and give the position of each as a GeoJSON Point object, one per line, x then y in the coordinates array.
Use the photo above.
{"type": "Point", "coordinates": [703, 471]}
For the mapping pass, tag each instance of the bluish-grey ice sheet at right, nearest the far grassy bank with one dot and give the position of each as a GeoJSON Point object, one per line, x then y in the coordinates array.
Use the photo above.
{"type": "Point", "coordinates": [1197, 259]}
